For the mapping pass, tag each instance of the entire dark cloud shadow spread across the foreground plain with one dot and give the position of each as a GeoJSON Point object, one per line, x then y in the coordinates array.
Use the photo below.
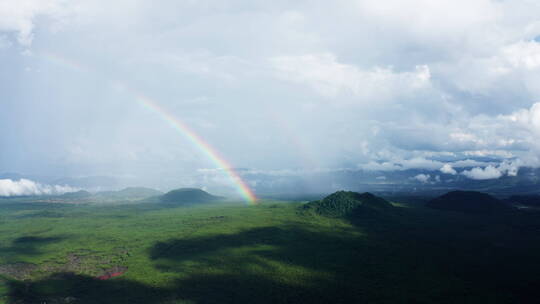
{"type": "Point", "coordinates": [426, 257]}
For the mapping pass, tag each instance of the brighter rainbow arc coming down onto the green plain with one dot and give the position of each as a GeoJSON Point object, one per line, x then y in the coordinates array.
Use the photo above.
{"type": "Point", "coordinates": [180, 127]}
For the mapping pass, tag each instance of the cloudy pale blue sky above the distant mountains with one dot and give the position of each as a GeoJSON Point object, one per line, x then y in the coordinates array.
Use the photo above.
{"type": "Point", "coordinates": [273, 86]}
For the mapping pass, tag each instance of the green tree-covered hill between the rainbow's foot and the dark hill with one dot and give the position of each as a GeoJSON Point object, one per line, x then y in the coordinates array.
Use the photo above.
{"type": "Point", "coordinates": [350, 204]}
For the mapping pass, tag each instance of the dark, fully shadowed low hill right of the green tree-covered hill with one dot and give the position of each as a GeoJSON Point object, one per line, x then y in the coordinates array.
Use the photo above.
{"type": "Point", "coordinates": [469, 202]}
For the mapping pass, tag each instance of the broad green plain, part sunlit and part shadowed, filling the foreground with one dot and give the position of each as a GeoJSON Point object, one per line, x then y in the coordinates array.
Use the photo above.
{"type": "Point", "coordinates": [271, 253]}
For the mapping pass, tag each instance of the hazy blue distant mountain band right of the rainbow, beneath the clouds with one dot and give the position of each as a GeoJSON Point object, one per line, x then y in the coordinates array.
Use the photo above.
{"type": "Point", "coordinates": [434, 182]}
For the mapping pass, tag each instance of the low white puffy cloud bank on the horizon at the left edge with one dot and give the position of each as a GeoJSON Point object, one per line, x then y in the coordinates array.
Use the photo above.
{"type": "Point", "coordinates": [21, 187]}
